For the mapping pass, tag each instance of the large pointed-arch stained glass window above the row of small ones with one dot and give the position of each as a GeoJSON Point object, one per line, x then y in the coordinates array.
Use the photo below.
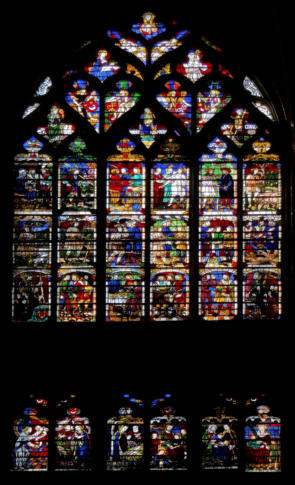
{"type": "Point", "coordinates": [149, 188]}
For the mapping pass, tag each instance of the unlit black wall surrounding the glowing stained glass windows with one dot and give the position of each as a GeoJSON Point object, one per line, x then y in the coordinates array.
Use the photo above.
{"type": "Point", "coordinates": [193, 362]}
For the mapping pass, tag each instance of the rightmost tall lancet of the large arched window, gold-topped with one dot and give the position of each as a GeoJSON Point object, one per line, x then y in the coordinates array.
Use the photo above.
{"type": "Point", "coordinates": [262, 233]}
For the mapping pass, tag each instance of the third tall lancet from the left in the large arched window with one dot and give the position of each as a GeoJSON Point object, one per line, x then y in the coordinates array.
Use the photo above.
{"type": "Point", "coordinates": [125, 234]}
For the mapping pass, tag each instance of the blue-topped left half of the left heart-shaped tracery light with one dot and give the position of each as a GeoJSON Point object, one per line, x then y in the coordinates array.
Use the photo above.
{"type": "Point", "coordinates": [85, 102]}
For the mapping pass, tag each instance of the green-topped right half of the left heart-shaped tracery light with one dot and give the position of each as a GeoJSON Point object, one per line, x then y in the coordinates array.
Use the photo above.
{"type": "Point", "coordinates": [119, 102]}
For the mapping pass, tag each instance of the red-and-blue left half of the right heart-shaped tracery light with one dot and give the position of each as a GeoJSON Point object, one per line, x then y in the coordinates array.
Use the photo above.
{"type": "Point", "coordinates": [178, 102]}
